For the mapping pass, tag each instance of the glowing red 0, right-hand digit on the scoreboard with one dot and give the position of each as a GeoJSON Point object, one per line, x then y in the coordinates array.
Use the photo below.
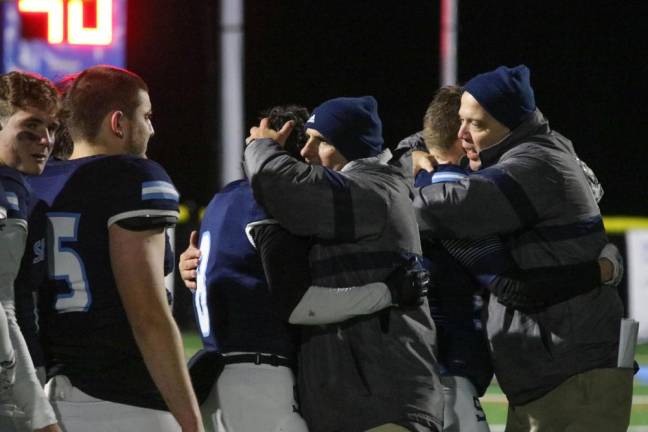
{"type": "Point", "coordinates": [101, 34]}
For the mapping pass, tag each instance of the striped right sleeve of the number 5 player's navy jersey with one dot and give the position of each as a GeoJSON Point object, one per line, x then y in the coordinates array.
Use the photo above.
{"type": "Point", "coordinates": [142, 191]}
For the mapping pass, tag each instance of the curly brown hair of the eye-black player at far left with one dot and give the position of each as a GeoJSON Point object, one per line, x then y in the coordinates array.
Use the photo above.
{"type": "Point", "coordinates": [22, 90]}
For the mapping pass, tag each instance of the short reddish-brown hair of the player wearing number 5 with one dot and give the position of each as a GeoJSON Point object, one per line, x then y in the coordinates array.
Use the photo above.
{"type": "Point", "coordinates": [94, 93]}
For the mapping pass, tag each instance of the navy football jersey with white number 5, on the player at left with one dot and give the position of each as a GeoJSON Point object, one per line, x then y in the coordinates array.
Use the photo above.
{"type": "Point", "coordinates": [85, 332]}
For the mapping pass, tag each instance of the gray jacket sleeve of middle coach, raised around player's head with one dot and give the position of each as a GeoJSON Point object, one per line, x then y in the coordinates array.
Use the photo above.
{"type": "Point", "coordinates": [311, 200]}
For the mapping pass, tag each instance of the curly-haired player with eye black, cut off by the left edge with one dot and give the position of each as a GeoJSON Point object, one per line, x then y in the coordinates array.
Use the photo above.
{"type": "Point", "coordinates": [29, 107]}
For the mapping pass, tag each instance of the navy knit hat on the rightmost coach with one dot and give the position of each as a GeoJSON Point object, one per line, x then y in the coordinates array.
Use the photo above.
{"type": "Point", "coordinates": [506, 94]}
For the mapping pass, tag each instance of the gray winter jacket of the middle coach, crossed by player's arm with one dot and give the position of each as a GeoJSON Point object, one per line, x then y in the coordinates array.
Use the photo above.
{"type": "Point", "coordinates": [370, 370]}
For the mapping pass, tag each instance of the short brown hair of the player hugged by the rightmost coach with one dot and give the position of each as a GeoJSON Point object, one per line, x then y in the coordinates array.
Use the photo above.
{"type": "Point", "coordinates": [441, 121]}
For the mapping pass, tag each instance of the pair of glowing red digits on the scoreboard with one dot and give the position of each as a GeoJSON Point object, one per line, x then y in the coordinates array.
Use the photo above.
{"type": "Point", "coordinates": [77, 33]}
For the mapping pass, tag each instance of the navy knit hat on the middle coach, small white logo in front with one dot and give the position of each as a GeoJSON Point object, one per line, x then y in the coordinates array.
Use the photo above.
{"type": "Point", "coordinates": [351, 125]}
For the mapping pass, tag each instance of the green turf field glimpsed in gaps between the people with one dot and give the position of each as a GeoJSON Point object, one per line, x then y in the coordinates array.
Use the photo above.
{"type": "Point", "coordinates": [494, 403]}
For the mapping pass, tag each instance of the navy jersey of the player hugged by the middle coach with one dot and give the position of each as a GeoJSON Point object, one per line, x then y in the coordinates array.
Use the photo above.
{"type": "Point", "coordinates": [232, 302]}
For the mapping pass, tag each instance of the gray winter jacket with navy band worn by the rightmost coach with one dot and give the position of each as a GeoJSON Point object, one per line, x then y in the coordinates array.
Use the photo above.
{"type": "Point", "coordinates": [533, 193]}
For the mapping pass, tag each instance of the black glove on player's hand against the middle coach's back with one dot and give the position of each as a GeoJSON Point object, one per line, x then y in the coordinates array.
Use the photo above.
{"type": "Point", "coordinates": [409, 284]}
